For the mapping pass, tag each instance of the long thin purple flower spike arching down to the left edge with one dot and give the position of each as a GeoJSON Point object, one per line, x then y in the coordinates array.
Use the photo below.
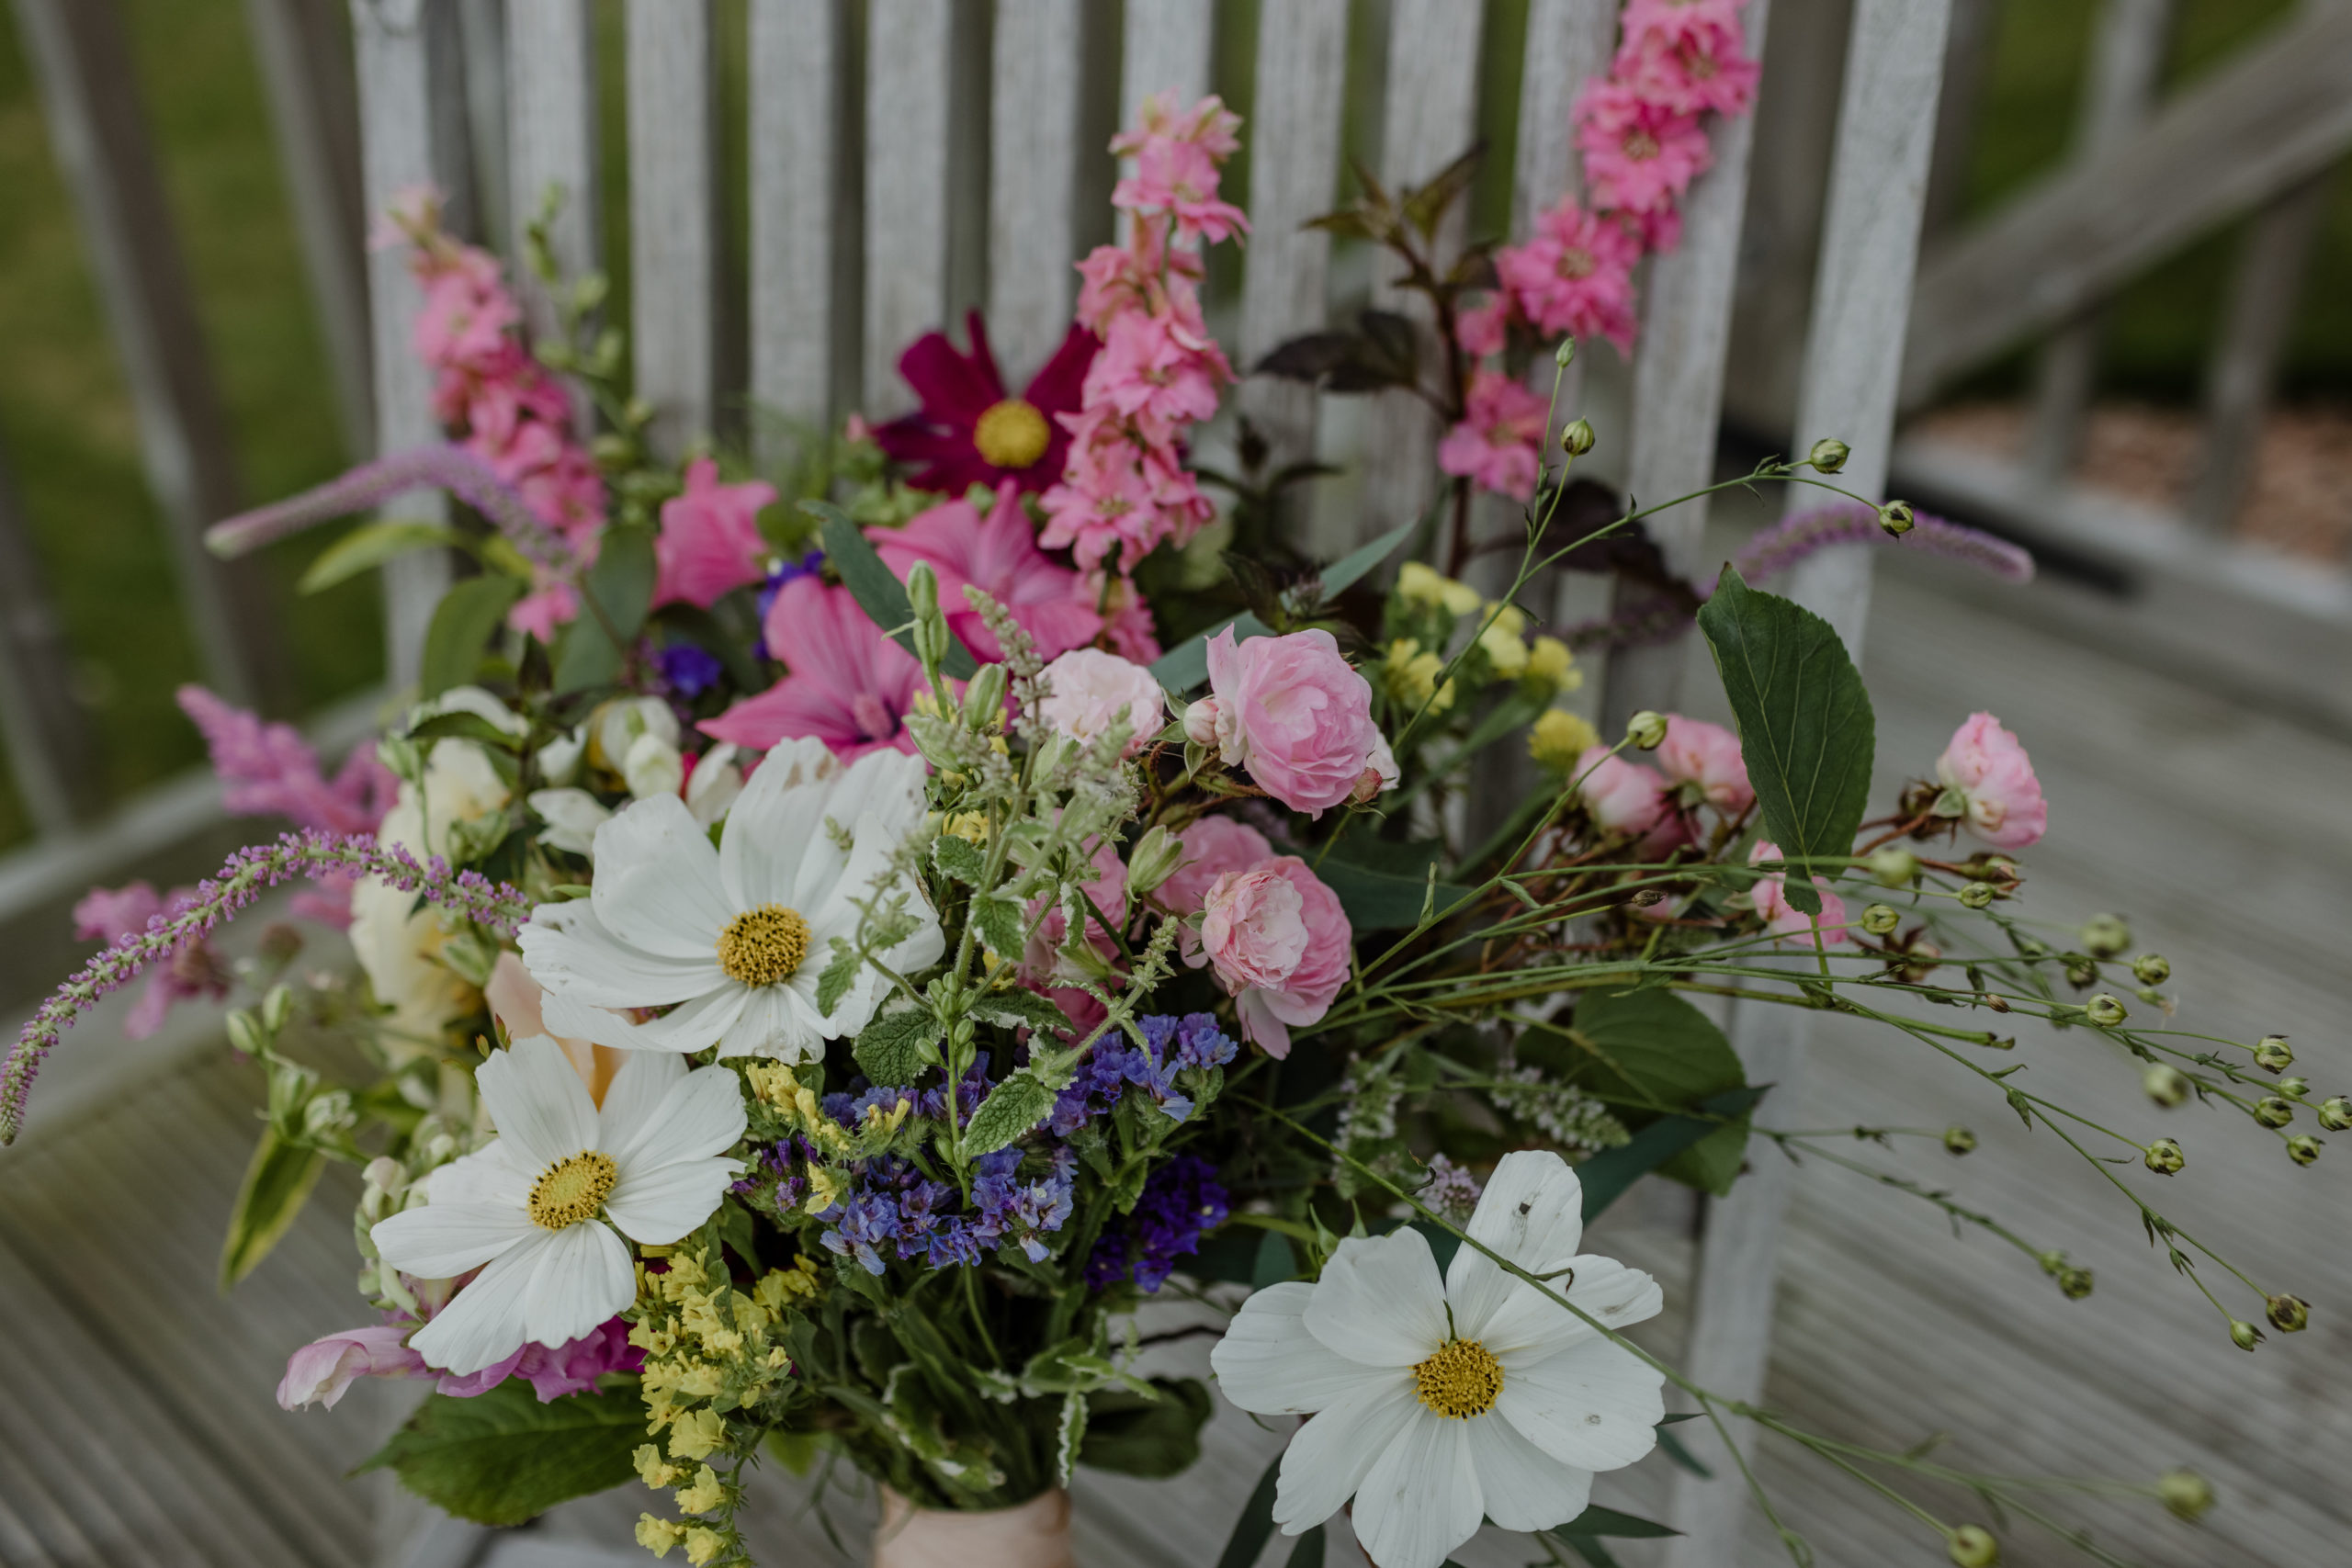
{"type": "Point", "coordinates": [241, 880]}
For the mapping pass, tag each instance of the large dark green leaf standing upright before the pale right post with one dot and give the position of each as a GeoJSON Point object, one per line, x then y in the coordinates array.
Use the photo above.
{"type": "Point", "coordinates": [1805, 723]}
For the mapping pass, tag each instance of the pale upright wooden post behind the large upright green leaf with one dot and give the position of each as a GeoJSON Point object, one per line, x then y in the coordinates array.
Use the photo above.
{"type": "Point", "coordinates": [1852, 370]}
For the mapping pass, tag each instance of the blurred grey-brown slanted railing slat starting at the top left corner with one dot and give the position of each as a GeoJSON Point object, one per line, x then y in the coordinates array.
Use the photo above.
{"type": "Point", "coordinates": [98, 133]}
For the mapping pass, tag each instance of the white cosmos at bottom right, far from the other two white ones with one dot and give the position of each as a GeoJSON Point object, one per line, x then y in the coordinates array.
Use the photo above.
{"type": "Point", "coordinates": [1450, 1400]}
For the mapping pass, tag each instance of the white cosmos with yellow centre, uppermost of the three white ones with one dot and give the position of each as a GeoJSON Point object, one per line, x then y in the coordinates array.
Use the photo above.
{"type": "Point", "coordinates": [735, 939]}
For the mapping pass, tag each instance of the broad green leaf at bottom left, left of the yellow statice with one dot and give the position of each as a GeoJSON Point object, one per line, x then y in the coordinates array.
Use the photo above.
{"type": "Point", "coordinates": [502, 1459]}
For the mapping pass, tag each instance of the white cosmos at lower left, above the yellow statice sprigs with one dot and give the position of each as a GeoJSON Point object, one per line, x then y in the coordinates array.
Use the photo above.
{"type": "Point", "coordinates": [535, 1202]}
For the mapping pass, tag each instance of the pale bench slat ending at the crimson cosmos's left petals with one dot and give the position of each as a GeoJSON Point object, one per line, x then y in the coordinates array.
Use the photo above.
{"type": "Point", "coordinates": [907, 189]}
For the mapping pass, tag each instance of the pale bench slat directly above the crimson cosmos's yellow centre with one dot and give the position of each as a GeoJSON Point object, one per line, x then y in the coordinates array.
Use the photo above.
{"type": "Point", "coordinates": [1034, 182]}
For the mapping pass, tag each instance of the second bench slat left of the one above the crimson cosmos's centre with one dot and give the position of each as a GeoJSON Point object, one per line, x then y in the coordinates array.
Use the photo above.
{"type": "Point", "coordinates": [796, 130]}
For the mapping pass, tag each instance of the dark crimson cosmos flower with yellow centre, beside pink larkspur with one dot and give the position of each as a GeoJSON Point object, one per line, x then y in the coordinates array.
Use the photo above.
{"type": "Point", "coordinates": [970, 429]}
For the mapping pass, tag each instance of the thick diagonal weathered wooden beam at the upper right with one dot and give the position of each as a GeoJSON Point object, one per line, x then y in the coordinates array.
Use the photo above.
{"type": "Point", "coordinates": [2250, 130]}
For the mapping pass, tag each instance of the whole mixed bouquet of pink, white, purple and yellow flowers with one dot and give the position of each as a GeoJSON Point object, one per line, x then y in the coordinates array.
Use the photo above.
{"type": "Point", "coordinates": [824, 970]}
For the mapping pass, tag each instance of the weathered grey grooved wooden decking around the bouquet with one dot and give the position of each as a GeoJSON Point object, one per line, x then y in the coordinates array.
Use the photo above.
{"type": "Point", "coordinates": [135, 1402]}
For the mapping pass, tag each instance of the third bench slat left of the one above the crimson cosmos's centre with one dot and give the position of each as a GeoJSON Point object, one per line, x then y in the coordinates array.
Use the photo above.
{"type": "Point", "coordinates": [674, 217]}
